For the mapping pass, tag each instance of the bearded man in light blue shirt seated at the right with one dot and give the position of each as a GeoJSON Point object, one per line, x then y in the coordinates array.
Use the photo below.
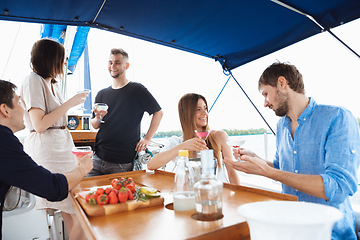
{"type": "Point", "coordinates": [317, 147]}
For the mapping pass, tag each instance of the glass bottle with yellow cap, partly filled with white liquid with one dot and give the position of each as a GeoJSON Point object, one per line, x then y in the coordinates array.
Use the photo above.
{"type": "Point", "coordinates": [183, 192]}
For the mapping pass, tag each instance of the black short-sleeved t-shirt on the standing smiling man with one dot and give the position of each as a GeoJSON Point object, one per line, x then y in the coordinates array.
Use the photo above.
{"type": "Point", "coordinates": [117, 137]}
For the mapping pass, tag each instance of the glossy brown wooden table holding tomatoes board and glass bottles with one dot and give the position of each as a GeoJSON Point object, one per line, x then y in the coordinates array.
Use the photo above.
{"type": "Point", "coordinates": [161, 222]}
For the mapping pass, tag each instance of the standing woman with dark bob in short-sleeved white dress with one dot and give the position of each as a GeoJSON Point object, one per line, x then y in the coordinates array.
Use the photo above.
{"type": "Point", "coordinates": [49, 142]}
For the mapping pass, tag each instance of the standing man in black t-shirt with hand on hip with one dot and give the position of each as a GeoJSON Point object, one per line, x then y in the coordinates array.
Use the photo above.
{"type": "Point", "coordinates": [118, 138]}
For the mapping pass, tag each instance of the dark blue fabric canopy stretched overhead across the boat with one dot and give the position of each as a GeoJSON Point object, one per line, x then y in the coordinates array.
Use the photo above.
{"type": "Point", "coordinates": [232, 31]}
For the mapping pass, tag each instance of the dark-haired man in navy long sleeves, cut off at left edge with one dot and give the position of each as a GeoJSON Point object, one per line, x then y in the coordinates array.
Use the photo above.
{"type": "Point", "coordinates": [17, 168]}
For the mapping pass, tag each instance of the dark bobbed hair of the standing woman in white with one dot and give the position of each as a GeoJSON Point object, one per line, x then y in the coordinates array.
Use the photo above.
{"type": "Point", "coordinates": [47, 59]}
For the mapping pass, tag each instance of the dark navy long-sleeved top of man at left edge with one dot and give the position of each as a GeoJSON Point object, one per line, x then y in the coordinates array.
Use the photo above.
{"type": "Point", "coordinates": [19, 170]}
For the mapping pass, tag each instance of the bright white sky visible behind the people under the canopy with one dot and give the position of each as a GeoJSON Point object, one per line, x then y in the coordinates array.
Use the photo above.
{"type": "Point", "coordinates": [330, 72]}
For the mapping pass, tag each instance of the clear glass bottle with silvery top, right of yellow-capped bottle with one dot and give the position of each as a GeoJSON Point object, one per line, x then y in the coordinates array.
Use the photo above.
{"type": "Point", "coordinates": [208, 191]}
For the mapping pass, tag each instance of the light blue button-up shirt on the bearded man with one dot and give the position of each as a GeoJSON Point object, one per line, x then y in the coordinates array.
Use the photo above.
{"type": "Point", "coordinates": [326, 143]}
